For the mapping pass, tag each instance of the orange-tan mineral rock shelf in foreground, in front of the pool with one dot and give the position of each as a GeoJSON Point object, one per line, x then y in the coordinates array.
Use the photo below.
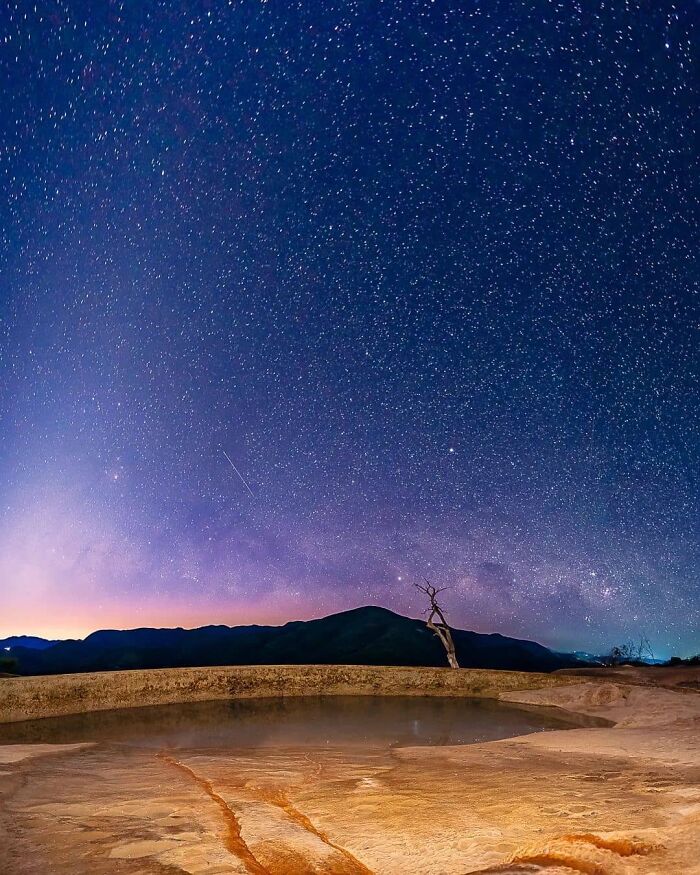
{"type": "Point", "coordinates": [613, 800]}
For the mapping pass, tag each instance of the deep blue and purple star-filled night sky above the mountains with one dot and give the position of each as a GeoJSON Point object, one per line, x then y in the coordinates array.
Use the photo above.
{"type": "Point", "coordinates": [426, 271]}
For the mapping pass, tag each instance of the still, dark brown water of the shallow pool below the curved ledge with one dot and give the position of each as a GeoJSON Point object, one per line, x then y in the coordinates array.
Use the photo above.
{"type": "Point", "coordinates": [313, 721]}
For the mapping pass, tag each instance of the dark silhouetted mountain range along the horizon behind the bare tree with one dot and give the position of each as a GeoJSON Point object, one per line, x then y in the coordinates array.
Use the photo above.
{"type": "Point", "coordinates": [363, 636]}
